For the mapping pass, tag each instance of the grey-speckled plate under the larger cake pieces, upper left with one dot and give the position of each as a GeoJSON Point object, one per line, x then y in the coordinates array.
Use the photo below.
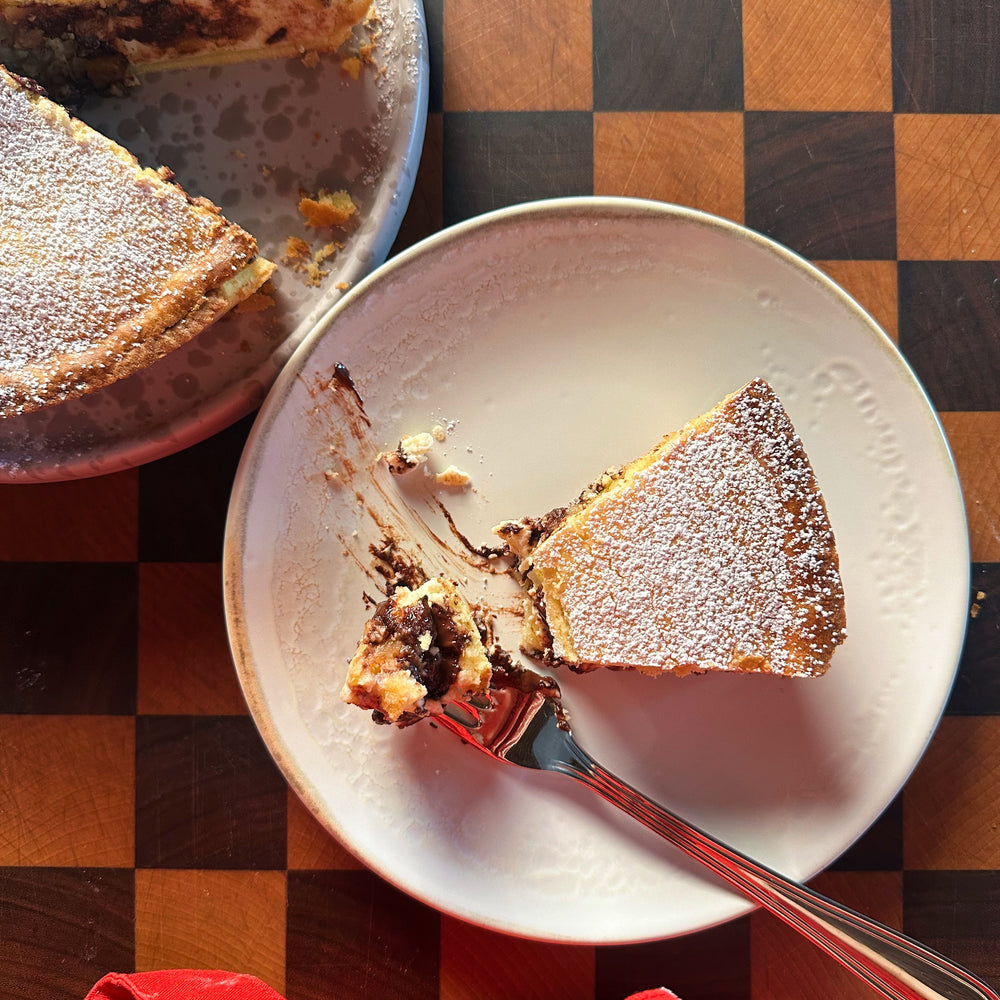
{"type": "Point", "coordinates": [248, 137]}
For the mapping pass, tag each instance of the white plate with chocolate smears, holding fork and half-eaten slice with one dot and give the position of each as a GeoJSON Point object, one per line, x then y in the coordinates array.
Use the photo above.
{"type": "Point", "coordinates": [554, 340]}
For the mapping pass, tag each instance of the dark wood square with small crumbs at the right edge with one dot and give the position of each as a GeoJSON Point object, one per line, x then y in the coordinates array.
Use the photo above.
{"type": "Point", "coordinates": [977, 686]}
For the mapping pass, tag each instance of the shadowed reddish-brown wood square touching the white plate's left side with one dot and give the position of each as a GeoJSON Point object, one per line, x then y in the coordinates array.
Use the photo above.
{"type": "Point", "coordinates": [185, 666]}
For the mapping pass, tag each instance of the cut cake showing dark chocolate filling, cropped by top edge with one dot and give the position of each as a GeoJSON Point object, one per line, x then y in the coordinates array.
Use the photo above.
{"type": "Point", "coordinates": [99, 43]}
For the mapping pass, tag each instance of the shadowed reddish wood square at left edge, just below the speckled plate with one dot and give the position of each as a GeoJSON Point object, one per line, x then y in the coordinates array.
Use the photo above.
{"type": "Point", "coordinates": [84, 520]}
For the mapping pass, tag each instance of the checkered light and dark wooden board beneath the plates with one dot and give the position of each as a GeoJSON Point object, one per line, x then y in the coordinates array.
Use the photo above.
{"type": "Point", "coordinates": [142, 823]}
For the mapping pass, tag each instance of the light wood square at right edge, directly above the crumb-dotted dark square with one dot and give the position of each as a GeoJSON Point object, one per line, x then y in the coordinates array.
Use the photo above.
{"type": "Point", "coordinates": [975, 443]}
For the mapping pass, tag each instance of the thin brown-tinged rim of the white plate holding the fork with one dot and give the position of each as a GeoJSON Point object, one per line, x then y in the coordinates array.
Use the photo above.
{"type": "Point", "coordinates": [234, 538]}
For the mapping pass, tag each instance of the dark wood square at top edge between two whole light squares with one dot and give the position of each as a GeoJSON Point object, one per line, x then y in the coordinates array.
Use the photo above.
{"type": "Point", "coordinates": [667, 56]}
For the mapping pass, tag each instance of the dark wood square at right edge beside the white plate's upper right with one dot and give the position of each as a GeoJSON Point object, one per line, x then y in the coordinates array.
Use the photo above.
{"type": "Point", "coordinates": [945, 307]}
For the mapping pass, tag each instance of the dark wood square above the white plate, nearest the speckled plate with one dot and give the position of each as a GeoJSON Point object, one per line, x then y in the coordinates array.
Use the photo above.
{"type": "Point", "coordinates": [499, 158]}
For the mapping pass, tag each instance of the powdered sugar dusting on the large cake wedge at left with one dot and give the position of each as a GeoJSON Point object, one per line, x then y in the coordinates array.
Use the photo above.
{"type": "Point", "coordinates": [86, 242]}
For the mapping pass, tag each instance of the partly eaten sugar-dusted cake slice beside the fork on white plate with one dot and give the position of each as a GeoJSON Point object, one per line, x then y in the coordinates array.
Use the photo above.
{"type": "Point", "coordinates": [714, 551]}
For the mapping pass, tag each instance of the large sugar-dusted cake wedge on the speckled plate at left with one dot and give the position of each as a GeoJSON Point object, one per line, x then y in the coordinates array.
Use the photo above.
{"type": "Point", "coordinates": [104, 266]}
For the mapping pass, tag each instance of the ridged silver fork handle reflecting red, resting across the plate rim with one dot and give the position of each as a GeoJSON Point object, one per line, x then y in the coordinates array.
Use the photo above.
{"type": "Point", "coordinates": [892, 963]}
